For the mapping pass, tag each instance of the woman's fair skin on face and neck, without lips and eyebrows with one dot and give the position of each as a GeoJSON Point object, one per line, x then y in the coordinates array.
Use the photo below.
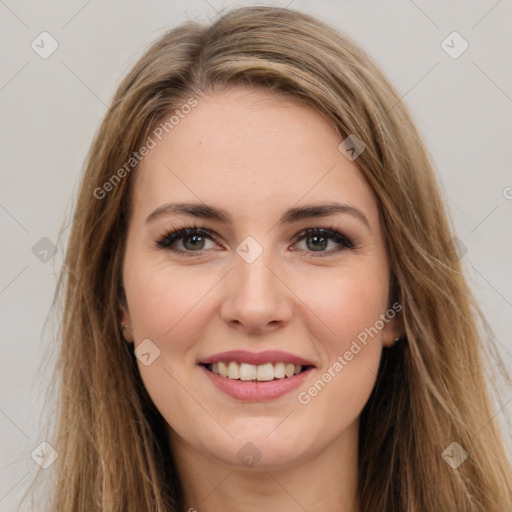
{"type": "Point", "coordinates": [256, 155]}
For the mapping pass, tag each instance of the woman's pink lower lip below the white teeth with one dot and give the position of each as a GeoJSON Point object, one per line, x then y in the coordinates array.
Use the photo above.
{"type": "Point", "coordinates": [256, 391]}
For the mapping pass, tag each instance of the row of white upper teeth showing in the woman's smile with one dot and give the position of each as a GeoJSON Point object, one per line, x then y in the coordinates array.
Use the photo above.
{"type": "Point", "coordinates": [260, 372]}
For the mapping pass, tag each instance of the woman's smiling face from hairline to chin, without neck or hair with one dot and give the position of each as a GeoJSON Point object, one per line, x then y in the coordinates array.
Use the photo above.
{"type": "Point", "coordinates": [251, 282]}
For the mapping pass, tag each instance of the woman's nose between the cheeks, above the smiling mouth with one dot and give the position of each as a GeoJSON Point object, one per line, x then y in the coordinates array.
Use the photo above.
{"type": "Point", "coordinates": [257, 299]}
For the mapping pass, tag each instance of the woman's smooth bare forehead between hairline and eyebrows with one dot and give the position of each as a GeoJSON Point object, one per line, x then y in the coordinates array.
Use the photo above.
{"type": "Point", "coordinates": [248, 151]}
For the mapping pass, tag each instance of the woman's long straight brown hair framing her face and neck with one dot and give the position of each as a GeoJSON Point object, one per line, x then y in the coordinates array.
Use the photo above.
{"type": "Point", "coordinates": [432, 388]}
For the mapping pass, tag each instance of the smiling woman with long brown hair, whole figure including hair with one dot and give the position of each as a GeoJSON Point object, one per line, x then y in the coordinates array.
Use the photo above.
{"type": "Point", "coordinates": [321, 349]}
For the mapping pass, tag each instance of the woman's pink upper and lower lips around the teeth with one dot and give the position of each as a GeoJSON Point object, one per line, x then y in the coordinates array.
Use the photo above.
{"type": "Point", "coordinates": [256, 391]}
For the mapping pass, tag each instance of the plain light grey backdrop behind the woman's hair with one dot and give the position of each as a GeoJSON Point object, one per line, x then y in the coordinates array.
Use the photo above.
{"type": "Point", "coordinates": [51, 107]}
